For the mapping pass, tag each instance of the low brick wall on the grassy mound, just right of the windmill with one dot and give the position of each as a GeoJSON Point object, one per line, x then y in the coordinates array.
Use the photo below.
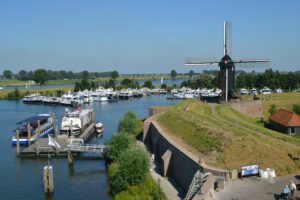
{"type": "Point", "coordinates": [249, 108]}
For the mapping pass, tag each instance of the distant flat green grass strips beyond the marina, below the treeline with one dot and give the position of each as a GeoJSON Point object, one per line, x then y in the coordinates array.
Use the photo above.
{"type": "Point", "coordinates": [102, 79]}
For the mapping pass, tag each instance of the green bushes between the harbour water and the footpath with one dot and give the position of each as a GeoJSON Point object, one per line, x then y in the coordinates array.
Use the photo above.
{"type": "Point", "coordinates": [128, 171]}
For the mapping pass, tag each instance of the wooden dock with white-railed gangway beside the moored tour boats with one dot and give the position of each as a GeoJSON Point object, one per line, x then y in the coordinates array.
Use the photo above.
{"type": "Point", "coordinates": [41, 148]}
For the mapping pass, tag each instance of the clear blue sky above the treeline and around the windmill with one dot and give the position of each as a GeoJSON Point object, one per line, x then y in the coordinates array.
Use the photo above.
{"type": "Point", "coordinates": [135, 36]}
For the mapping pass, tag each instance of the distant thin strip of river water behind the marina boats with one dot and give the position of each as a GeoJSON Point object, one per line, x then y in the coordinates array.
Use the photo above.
{"type": "Point", "coordinates": [141, 82]}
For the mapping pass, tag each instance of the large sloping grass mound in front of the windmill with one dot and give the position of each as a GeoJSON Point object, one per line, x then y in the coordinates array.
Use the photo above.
{"type": "Point", "coordinates": [224, 138]}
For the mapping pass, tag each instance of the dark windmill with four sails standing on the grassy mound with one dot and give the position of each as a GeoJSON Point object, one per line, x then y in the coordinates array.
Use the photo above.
{"type": "Point", "coordinates": [227, 65]}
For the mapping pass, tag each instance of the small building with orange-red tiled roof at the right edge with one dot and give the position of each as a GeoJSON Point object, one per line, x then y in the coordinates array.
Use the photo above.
{"type": "Point", "coordinates": [286, 122]}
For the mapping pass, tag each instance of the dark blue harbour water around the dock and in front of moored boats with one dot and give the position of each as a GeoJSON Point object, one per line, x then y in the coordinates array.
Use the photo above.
{"type": "Point", "coordinates": [21, 178]}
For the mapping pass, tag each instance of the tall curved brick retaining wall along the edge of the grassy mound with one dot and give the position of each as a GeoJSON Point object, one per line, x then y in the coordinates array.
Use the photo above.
{"type": "Point", "coordinates": [182, 164]}
